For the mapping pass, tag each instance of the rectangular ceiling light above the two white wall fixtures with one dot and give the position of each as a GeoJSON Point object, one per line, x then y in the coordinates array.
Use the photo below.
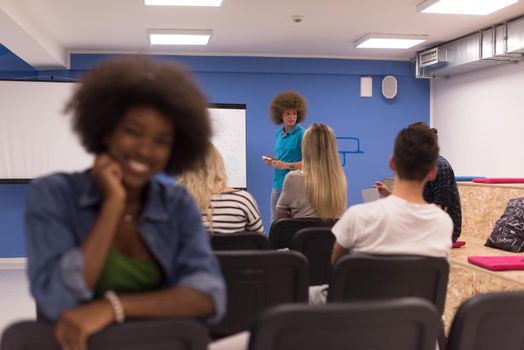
{"type": "Point", "coordinates": [389, 41]}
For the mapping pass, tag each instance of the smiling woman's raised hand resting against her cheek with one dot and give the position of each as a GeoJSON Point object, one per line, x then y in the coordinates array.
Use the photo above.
{"type": "Point", "coordinates": [107, 174]}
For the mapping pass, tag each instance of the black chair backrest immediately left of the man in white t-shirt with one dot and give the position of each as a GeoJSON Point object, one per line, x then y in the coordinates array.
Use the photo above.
{"type": "Point", "coordinates": [316, 243]}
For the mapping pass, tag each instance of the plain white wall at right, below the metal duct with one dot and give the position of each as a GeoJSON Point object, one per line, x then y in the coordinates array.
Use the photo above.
{"type": "Point", "coordinates": [480, 121]}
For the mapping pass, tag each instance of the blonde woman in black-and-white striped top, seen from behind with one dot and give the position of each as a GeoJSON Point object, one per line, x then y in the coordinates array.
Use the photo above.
{"type": "Point", "coordinates": [224, 209]}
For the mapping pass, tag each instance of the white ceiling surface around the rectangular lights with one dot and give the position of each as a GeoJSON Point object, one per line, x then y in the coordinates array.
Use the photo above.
{"type": "Point", "coordinates": [44, 32]}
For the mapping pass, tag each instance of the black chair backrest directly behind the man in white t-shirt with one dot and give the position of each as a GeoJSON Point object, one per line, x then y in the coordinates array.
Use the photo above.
{"type": "Point", "coordinates": [370, 277]}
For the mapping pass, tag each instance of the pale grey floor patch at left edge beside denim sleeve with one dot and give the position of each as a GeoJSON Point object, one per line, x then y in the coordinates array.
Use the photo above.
{"type": "Point", "coordinates": [15, 301]}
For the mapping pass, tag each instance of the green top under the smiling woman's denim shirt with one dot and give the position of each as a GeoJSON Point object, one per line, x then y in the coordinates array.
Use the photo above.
{"type": "Point", "coordinates": [123, 274]}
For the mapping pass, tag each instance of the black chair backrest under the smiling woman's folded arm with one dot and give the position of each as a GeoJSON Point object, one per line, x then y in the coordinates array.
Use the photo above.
{"type": "Point", "coordinates": [157, 334]}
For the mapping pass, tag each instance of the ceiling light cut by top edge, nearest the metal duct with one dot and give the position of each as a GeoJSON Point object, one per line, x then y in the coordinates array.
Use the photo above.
{"type": "Point", "coordinates": [463, 7]}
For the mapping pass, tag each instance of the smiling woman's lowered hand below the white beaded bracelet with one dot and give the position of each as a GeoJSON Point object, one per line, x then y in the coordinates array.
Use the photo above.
{"type": "Point", "coordinates": [76, 325]}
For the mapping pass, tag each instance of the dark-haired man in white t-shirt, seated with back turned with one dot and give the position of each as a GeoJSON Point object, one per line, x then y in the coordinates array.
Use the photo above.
{"type": "Point", "coordinates": [403, 223]}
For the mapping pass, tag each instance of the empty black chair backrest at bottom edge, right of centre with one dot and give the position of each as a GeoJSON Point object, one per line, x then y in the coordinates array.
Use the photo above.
{"type": "Point", "coordinates": [407, 324]}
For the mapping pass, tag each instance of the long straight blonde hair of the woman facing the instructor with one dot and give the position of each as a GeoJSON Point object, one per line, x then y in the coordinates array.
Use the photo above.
{"type": "Point", "coordinates": [323, 175]}
